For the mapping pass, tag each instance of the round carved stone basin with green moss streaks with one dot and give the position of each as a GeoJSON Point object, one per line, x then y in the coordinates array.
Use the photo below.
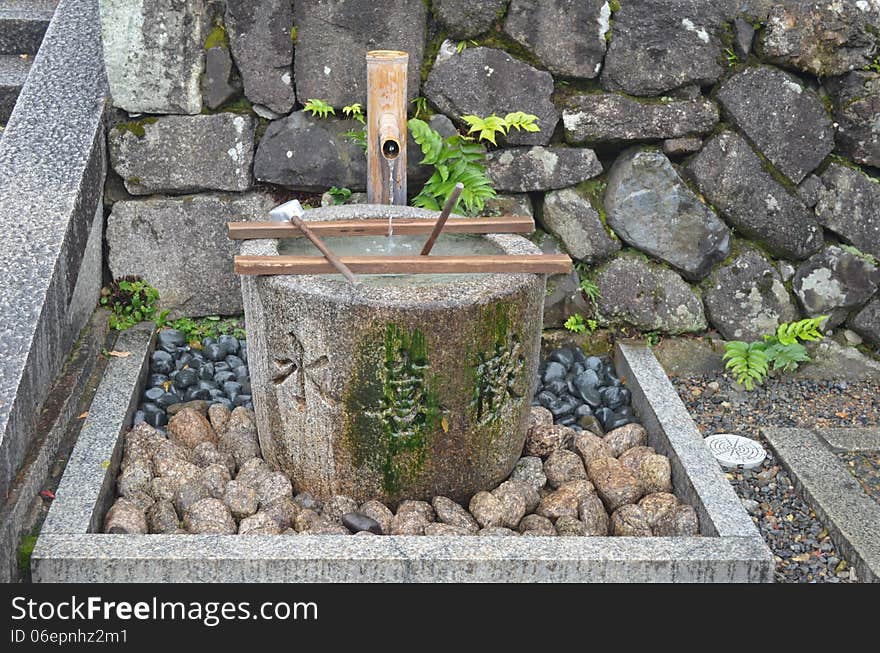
{"type": "Point", "coordinates": [399, 388]}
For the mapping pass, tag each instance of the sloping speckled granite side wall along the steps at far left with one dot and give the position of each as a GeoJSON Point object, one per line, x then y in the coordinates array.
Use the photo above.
{"type": "Point", "coordinates": [51, 180]}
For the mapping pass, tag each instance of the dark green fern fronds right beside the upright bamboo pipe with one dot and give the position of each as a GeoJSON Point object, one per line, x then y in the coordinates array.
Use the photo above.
{"type": "Point", "coordinates": [455, 160]}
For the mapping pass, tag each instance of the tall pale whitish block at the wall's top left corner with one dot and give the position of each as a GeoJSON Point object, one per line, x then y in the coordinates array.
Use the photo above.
{"type": "Point", "coordinates": [153, 52]}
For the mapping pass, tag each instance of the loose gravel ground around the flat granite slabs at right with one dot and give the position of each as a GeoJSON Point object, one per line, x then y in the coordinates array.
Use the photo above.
{"type": "Point", "coordinates": [804, 551]}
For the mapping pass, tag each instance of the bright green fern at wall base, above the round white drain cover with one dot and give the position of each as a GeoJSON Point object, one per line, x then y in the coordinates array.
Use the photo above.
{"type": "Point", "coordinates": [750, 361]}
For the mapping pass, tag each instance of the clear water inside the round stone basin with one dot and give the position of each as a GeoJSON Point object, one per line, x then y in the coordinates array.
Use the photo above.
{"type": "Point", "coordinates": [397, 245]}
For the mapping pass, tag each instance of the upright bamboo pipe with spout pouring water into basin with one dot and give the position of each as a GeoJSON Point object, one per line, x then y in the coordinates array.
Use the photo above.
{"type": "Point", "coordinates": [386, 127]}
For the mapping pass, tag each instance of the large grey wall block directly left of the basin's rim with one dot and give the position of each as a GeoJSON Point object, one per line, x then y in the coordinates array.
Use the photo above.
{"type": "Point", "coordinates": [181, 247]}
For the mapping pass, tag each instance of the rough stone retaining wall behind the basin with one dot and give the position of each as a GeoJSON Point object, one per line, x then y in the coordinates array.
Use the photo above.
{"type": "Point", "coordinates": [711, 164]}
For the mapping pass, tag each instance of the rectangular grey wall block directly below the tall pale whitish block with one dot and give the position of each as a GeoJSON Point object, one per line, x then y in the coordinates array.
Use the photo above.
{"type": "Point", "coordinates": [181, 154]}
